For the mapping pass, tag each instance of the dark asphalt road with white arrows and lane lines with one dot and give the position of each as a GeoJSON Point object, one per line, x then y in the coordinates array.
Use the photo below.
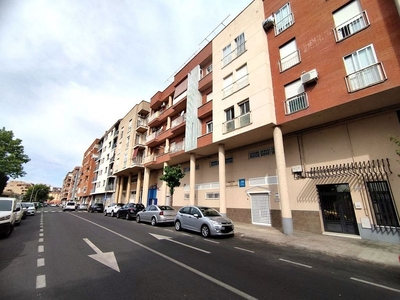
{"type": "Point", "coordinates": [80, 255]}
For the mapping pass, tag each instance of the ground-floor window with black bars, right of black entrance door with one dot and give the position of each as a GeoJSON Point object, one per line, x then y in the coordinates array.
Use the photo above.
{"type": "Point", "coordinates": [383, 207]}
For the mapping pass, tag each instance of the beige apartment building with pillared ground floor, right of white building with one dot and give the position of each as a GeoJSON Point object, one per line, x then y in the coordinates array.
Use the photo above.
{"type": "Point", "coordinates": [129, 154]}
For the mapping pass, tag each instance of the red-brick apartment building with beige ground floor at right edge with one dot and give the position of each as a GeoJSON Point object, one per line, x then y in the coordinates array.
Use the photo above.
{"type": "Point", "coordinates": [336, 82]}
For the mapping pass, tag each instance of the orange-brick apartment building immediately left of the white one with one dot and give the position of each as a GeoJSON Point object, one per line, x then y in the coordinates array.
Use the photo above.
{"type": "Point", "coordinates": [85, 181]}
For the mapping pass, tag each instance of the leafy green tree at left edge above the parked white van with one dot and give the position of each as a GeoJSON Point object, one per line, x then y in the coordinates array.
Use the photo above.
{"type": "Point", "coordinates": [12, 157]}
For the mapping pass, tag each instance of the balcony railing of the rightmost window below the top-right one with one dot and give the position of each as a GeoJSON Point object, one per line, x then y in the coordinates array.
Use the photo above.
{"type": "Point", "coordinates": [363, 78]}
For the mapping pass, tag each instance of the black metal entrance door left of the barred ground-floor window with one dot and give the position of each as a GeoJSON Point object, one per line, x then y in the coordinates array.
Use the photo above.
{"type": "Point", "coordinates": [337, 208]}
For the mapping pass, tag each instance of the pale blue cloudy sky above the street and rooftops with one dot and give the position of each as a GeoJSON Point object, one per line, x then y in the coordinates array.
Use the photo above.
{"type": "Point", "coordinates": [69, 69]}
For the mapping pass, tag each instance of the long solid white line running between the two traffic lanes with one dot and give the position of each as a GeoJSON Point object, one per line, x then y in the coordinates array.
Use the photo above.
{"type": "Point", "coordinates": [199, 273]}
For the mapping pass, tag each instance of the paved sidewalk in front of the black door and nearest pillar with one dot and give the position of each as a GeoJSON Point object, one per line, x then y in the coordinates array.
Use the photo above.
{"type": "Point", "coordinates": [364, 250]}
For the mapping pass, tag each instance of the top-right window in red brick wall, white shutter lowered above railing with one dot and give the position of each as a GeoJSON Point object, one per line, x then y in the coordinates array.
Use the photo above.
{"type": "Point", "coordinates": [349, 20]}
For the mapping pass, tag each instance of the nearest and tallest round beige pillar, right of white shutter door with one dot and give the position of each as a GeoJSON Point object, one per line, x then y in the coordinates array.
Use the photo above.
{"type": "Point", "coordinates": [287, 221]}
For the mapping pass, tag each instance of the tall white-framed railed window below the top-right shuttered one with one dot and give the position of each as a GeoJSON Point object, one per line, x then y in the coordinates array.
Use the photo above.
{"type": "Point", "coordinates": [363, 69]}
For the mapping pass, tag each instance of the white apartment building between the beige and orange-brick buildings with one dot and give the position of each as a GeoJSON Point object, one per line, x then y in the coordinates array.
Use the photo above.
{"type": "Point", "coordinates": [104, 182]}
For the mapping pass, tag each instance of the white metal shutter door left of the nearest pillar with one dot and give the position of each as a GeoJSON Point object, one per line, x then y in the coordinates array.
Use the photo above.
{"type": "Point", "coordinates": [260, 209]}
